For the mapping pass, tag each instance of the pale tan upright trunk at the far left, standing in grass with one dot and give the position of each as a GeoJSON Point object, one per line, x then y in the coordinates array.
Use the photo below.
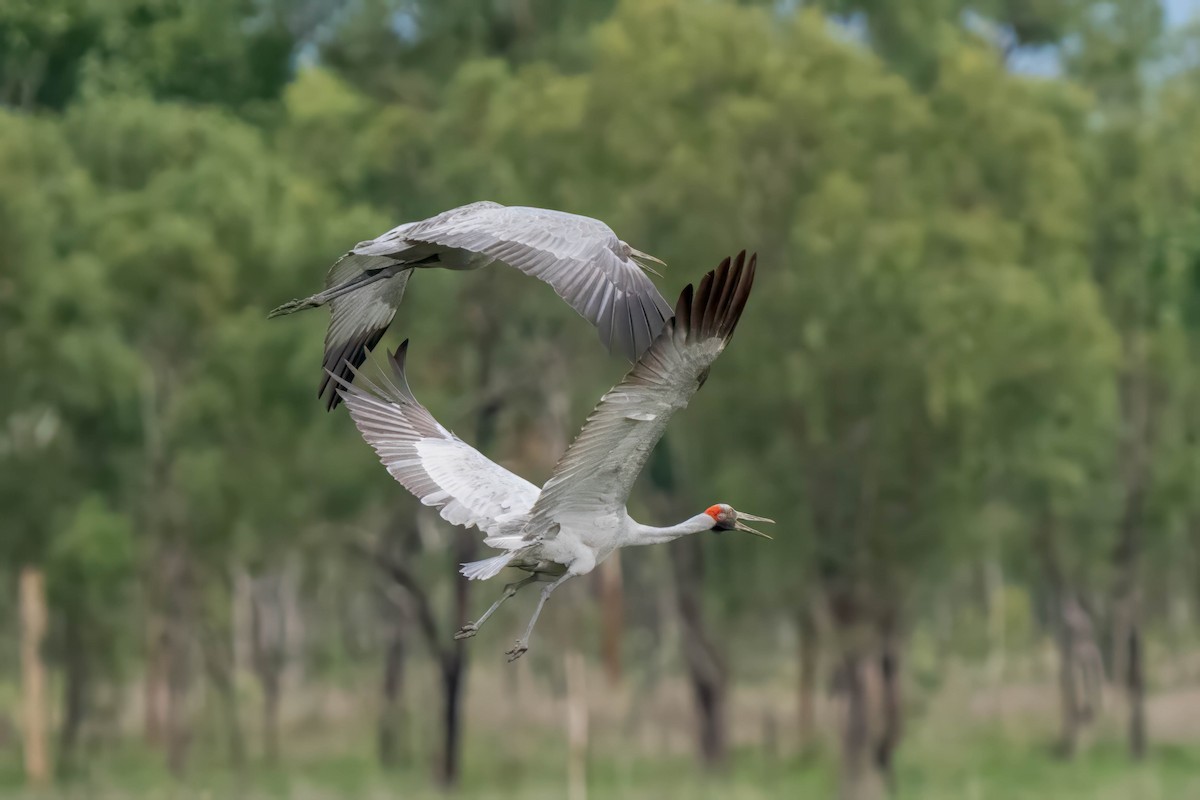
{"type": "Point", "coordinates": [33, 675]}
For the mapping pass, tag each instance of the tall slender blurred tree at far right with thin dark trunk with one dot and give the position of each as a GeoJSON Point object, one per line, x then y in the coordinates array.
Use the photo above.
{"type": "Point", "coordinates": [1141, 280]}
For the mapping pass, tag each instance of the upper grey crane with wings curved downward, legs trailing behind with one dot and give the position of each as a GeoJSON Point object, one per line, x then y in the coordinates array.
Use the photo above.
{"type": "Point", "coordinates": [596, 273]}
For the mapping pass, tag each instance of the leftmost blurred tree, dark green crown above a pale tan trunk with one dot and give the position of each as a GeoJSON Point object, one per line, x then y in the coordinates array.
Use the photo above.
{"type": "Point", "coordinates": [63, 429]}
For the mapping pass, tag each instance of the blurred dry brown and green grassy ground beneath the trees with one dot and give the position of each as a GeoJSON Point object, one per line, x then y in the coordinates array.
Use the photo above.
{"type": "Point", "coordinates": [967, 741]}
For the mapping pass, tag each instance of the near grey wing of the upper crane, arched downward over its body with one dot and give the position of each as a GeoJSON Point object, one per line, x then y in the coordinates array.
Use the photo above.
{"type": "Point", "coordinates": [580, 257]}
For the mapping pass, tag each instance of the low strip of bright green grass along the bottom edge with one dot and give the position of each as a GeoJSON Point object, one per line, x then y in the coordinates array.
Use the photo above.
{"type": "Point", "coordinates": [976, 768]}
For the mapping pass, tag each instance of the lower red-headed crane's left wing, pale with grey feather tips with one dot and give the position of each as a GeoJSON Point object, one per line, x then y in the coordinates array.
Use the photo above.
{"type": "Point", "coordinates": [437, 467]}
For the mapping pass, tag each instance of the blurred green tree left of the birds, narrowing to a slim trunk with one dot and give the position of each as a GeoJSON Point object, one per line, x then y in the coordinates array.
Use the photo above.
{"type": "Point", "coordinates": [190, 197]}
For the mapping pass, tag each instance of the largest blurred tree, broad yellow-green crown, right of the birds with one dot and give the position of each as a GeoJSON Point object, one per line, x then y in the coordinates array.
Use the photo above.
{"type": "Point", "coordinates": [905, 249]}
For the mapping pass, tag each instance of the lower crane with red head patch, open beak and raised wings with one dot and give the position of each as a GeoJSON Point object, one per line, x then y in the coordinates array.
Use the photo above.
{"type": "Point", "coordinates": [579, 518]}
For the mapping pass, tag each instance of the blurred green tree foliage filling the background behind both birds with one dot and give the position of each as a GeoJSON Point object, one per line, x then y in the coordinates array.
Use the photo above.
{"type": "Point", "coordinates": [962, 269]}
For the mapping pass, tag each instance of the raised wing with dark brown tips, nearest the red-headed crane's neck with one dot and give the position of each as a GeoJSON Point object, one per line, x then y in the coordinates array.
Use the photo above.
{"type": "Point", "coordinates": [595, 477]}
